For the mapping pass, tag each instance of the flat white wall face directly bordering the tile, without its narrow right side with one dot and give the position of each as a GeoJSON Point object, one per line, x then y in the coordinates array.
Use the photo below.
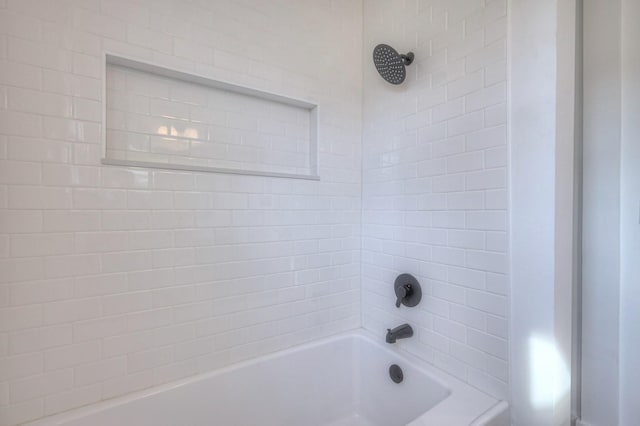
{"type": "Point", "coordinates": [532, 136]}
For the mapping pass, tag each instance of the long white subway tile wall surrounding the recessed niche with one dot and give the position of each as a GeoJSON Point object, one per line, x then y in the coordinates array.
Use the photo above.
{"type": "Point", "coordinates": [116, 279]}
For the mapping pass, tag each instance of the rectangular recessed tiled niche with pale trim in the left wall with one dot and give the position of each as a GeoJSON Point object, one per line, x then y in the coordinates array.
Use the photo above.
{"type": "Point", "coordinates": [162, 118]}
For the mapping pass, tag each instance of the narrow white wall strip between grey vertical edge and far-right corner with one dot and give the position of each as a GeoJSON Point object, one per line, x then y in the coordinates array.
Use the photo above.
{"type": "Point", "coordinates": [601, 213]}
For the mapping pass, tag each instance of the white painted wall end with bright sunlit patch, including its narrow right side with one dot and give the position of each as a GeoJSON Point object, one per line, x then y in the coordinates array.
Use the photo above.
{"type": "Point", "coordinates": [541, 122]}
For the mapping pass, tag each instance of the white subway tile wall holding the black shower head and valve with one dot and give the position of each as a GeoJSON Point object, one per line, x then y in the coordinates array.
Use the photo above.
{"type": "Point", "coordinates": [435, 183]}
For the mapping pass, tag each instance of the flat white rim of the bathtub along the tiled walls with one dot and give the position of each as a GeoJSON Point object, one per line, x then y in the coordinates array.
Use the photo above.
{"type": "Point", "coordinates": [474, 402]}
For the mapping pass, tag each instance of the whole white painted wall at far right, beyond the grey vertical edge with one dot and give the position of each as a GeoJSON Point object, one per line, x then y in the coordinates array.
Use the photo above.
{"type": "Point", "coordinates": [610, 341]}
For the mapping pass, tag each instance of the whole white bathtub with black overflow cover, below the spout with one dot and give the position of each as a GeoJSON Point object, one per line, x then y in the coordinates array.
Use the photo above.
{"type": "Point", "coordinates": [339, 381]}
